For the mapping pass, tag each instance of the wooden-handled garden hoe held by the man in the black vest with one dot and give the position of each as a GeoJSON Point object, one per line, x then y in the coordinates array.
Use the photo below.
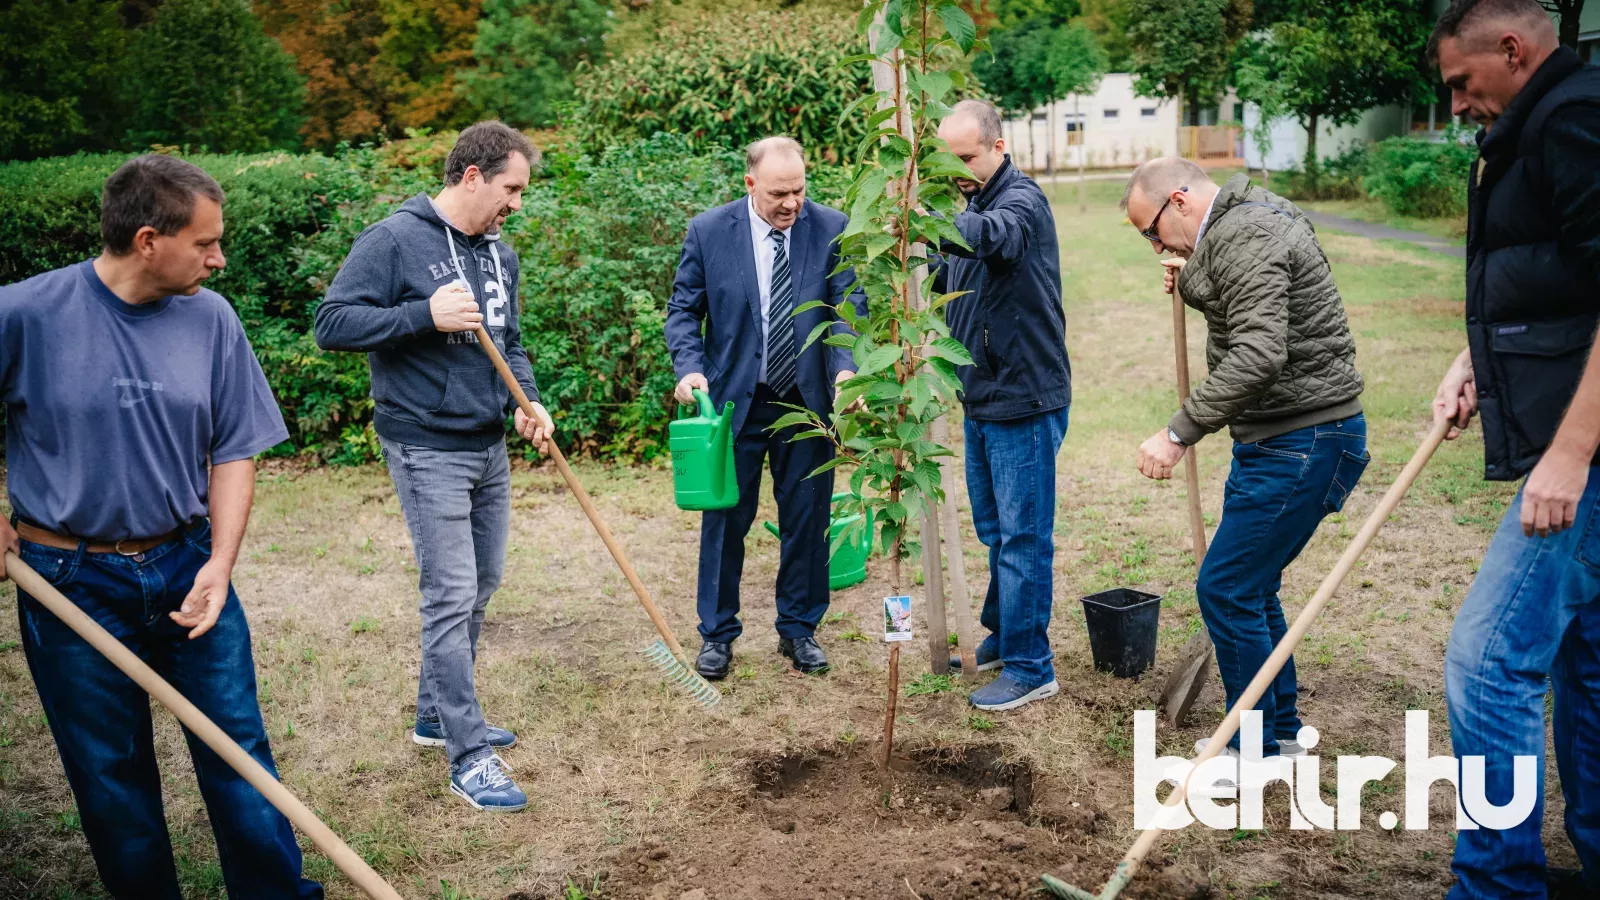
{"type": "Point", "coordinates": [1270, 670]}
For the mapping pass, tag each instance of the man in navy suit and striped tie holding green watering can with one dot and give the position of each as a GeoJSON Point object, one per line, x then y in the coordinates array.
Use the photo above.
{"type": "Point", "coordinates": [732, 331]}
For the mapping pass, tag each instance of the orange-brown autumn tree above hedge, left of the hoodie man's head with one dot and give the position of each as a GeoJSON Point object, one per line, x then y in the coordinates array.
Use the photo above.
{"type": "Point", "coordinates": [335, 47]}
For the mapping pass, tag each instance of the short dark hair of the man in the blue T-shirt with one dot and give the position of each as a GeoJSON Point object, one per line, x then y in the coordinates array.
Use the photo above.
{"type": "Point", "coordinates": [156, 191]}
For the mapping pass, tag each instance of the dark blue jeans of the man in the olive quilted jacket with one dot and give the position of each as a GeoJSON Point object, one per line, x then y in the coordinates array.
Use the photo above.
{"type": "Point", "coordinates": [1278, 492]}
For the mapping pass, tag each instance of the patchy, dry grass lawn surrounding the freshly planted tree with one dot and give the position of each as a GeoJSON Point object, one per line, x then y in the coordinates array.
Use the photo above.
{"type": "Point", "coordinates": [639, 795]}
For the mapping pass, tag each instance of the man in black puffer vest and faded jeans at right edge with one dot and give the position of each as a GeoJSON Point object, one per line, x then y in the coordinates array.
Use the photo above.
{"type": "Point", "coordinates": [1534, 300]}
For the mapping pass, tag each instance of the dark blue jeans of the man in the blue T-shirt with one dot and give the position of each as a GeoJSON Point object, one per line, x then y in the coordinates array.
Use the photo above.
{"type": "Point", "coordinates": [102, 720]}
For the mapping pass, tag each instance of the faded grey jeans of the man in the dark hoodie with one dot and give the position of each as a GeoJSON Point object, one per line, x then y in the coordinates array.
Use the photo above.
{"type": "Point", "coordinates": [457, 505]}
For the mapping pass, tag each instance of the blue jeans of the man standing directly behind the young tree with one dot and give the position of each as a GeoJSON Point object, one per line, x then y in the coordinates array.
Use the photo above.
{"type": "Point", "coordinates": [1012, 486]}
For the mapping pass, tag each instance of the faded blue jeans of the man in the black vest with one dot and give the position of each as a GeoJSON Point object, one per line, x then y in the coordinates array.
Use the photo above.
{"type": "Point", "coordinates": [1530, 621]}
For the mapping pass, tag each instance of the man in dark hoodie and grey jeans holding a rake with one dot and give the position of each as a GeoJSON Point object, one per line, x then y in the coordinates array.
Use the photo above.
{"type": "Point", "coordinates": [410, 295]}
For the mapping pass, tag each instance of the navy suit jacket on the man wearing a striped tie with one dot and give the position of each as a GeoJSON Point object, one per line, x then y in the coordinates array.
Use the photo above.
{"type": "Point", "coordinates": [716, 289]}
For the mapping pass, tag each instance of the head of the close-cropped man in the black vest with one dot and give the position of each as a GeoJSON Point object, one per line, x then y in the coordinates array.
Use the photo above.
{"type": "Point", "coordinates": [1487, 52]}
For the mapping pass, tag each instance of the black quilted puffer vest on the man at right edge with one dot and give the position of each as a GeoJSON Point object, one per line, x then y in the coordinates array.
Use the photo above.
{"type": "Point", "coordinates": [1532, 303]}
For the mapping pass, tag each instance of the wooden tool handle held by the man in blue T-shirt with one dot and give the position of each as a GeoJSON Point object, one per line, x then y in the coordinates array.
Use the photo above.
{"type": "Point", "coordinates": [199, 725]}
